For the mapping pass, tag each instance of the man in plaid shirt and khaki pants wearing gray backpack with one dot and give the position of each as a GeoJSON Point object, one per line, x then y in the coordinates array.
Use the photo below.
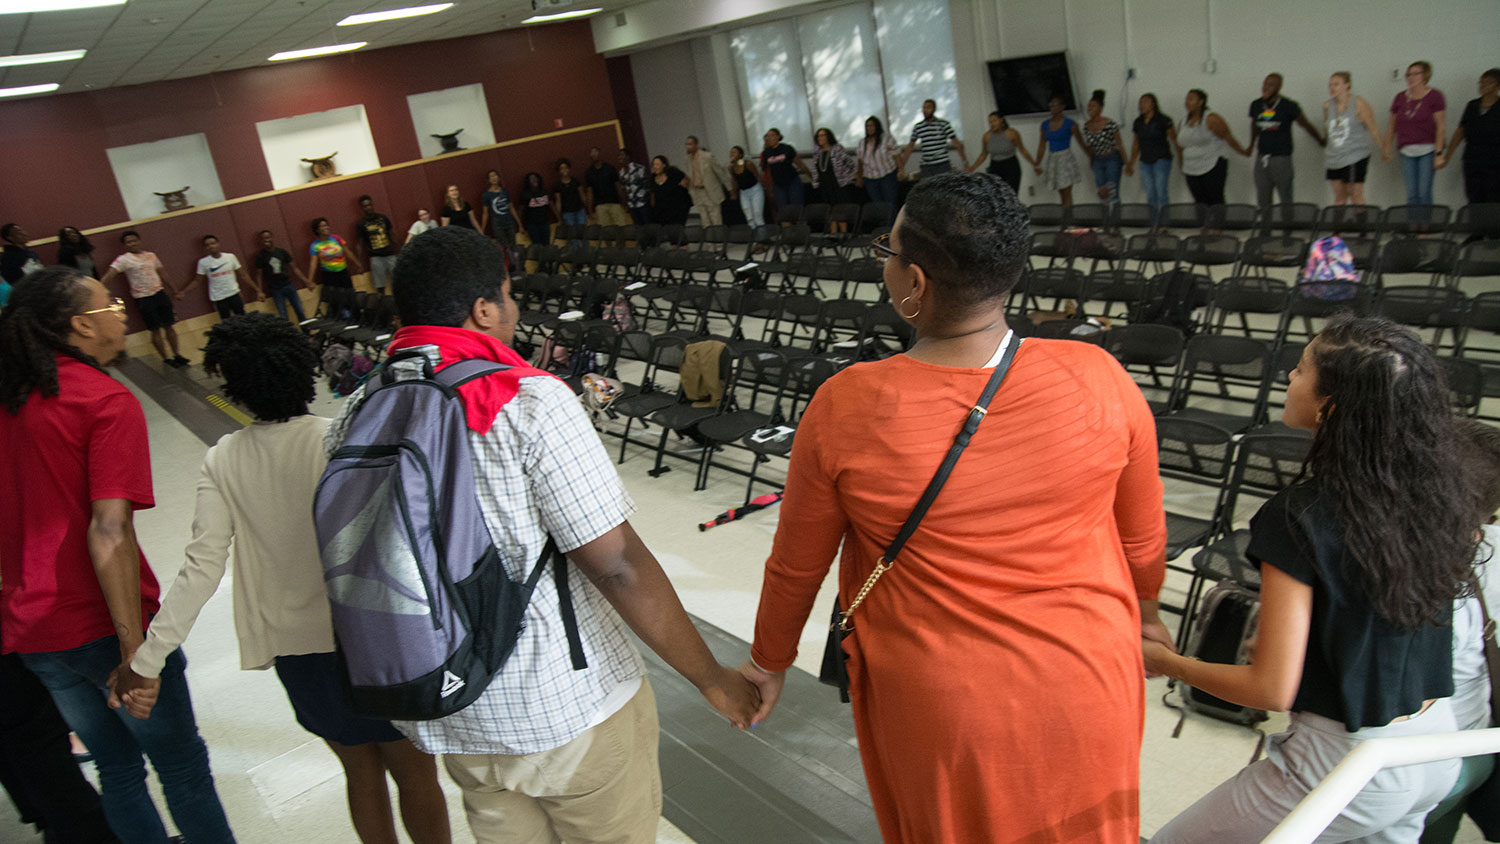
{"type": "Point", "coordinates": [562, 740]}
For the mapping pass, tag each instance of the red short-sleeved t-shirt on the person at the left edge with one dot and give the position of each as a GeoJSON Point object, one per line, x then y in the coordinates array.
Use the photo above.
{"type": "Point", "coordinates": [62, 455]}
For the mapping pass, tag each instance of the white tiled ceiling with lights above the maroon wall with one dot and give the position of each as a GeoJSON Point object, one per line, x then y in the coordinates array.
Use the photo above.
{"type": "Point", "coordinates": [148, 41]}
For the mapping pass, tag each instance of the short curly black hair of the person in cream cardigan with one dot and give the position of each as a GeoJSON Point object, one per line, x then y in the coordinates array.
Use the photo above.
{"type": "Point", "coordinates": [268, 365]}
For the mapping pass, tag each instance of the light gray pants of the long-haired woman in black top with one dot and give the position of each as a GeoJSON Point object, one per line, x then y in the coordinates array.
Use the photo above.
{"type": "Point", "coordinates": [1390, 810]}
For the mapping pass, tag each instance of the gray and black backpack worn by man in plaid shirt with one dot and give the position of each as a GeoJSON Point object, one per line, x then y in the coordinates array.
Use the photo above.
{"type": "Point", "coordinates": [424, 611]}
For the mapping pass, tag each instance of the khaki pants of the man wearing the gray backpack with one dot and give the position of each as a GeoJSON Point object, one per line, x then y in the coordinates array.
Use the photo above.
{"type": "Point", "coordinates": [604, 788]}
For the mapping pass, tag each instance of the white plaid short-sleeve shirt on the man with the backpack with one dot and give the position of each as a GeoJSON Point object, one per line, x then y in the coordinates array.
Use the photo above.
{"type": "Point", "coordinates": [541, 470]}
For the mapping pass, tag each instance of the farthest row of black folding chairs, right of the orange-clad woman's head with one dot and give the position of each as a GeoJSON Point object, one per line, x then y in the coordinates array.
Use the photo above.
{"type": "Point", "coordinates": [1474, 220]}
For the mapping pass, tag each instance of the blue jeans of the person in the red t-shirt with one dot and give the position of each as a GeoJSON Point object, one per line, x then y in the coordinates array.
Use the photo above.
{"type": "Point", "coordinates": [170, 738]}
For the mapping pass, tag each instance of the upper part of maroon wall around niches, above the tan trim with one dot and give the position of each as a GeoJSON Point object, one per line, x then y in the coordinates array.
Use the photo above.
{"type": "Point", "coordinates": [58, 172]}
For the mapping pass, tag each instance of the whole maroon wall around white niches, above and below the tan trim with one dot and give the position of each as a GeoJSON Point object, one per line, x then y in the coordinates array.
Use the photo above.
{"type": "Point", "coordinates": [58, 172]}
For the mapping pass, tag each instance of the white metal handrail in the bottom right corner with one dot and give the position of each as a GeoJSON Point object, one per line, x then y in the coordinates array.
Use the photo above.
{"type": "Point", "coordinates": [1342, 785]}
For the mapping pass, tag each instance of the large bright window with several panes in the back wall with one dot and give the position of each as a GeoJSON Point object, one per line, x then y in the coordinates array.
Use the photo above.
{"type": "Point", "coordinates": [838, 67]}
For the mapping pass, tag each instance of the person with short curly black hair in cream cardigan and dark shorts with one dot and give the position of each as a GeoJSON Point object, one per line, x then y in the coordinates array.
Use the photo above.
{"type": "Point", "coordinates": [256, 492]}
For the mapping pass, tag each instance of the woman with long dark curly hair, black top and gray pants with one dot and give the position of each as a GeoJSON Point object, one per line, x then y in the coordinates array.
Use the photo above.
{"type": "Point", "coordinates": [1361, 561]}
